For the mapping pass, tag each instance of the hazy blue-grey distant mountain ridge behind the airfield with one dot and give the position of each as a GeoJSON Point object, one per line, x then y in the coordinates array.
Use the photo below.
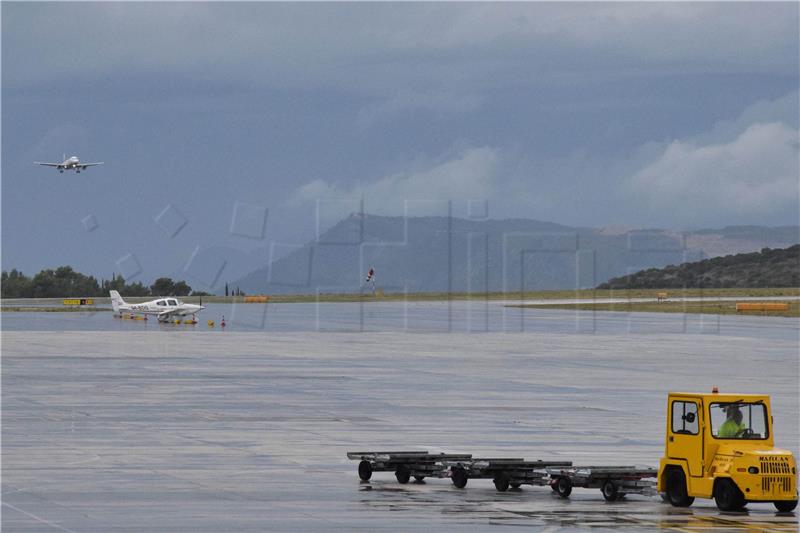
{"type": "Point", "coordinates": [426, 254]}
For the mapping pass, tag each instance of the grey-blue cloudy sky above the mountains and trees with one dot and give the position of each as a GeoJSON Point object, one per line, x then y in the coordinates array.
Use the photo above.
{"type": "Point", "coordinates": [253, 126]}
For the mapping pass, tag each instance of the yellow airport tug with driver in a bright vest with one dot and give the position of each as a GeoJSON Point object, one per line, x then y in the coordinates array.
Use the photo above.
{"type": "Point", "coordinates": [721, 446]}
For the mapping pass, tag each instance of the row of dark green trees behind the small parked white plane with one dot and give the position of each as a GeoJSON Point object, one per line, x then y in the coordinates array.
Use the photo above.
{"type": "Point", "coordinates": [66, 282]}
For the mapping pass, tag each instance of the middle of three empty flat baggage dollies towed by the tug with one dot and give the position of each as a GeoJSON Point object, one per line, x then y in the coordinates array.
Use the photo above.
{"type": "Point", "coordinates": [504, 472]}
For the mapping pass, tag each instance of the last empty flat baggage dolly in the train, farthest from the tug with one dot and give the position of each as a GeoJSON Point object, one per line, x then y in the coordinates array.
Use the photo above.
{"type": "Point", "coordinates": [405, 464]}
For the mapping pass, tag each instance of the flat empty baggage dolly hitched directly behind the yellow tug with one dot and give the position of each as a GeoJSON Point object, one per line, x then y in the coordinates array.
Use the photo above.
{"type": "Point", "coordinates": [613, 481]}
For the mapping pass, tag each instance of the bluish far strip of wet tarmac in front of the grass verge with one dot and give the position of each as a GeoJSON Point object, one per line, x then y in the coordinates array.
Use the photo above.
{"type": "Point", "coordinates": [477, 316]}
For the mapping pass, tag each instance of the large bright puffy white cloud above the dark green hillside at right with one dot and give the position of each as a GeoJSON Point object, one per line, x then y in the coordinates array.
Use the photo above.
{"type": "Point", "coordinates": [752, 177]}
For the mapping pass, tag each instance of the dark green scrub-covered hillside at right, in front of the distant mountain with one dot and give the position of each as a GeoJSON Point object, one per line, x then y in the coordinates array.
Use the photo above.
{"type": "Point", "coordinates": [767, 268]}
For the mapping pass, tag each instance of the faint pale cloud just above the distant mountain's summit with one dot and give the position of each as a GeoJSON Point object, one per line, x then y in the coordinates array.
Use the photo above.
{"type": "Point", "coordinates": [470, 175]}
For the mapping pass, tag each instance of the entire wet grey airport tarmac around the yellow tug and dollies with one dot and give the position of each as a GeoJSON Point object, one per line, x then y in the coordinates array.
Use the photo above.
{"type": "Point", "coordinates": [124, 426]}
